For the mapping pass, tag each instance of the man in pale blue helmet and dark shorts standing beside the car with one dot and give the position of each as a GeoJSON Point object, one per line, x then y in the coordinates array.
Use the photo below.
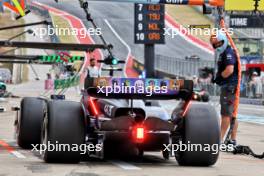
{"type": "Point", "coordinates": [227, 79]}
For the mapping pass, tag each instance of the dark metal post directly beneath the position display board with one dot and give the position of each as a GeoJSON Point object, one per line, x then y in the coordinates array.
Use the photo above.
{"type": "Point", "coordinates": [150, 60]}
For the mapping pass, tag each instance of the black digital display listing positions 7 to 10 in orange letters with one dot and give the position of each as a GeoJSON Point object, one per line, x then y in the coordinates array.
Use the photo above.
{"type": "Point", "coordinates": [149, 23]}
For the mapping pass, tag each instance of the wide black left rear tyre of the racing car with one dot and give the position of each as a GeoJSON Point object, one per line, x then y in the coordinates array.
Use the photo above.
{"type": "Point", "coordinates": [63, 131]}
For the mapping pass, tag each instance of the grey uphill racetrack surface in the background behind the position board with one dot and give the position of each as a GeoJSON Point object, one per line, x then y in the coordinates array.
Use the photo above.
{"type": "Point", "coordinates": [121, 18]}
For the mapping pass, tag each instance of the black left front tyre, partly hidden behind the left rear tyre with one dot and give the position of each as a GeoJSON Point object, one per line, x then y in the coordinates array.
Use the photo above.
{"type": "Point", "coordinates": [29, 122]}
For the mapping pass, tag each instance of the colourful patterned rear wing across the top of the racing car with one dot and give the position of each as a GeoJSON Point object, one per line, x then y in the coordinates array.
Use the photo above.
{"type": "Point", "coordinates": [135, 88]}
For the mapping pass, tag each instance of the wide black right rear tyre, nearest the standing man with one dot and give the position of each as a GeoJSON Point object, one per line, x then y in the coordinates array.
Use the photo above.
{"type": "Point", "coordinates": [201, 128]}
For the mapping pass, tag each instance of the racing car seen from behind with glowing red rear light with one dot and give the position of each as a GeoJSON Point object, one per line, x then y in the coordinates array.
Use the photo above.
{"type": "Point", "coordinates": [130, 118]}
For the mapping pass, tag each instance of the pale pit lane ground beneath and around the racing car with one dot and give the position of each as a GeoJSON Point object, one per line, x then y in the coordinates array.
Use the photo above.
{"type": "Point", "coordinates": [152, 163]}
